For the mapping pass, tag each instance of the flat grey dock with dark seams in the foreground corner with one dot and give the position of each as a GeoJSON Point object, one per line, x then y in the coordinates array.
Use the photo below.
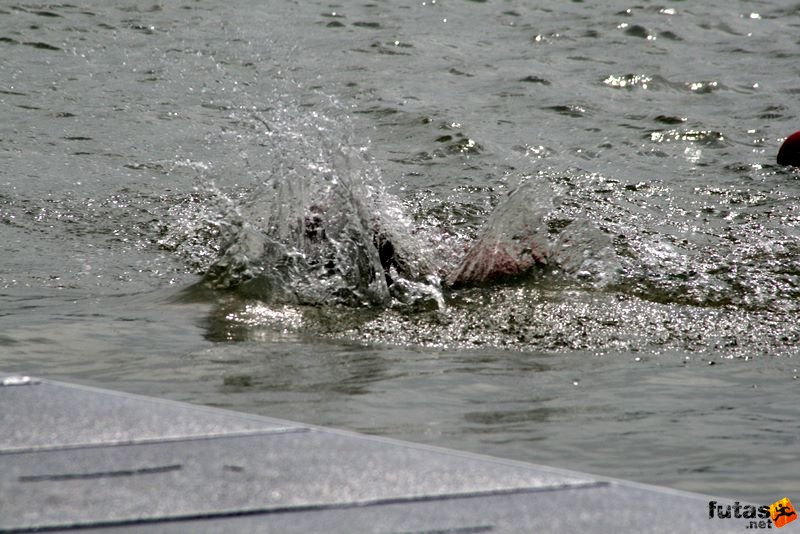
{"type": "Point", "coordinates": [79, 458]}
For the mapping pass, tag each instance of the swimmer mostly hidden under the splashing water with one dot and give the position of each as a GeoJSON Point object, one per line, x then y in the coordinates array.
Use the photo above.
{"type": "Point", "coordinates": [342, 251]}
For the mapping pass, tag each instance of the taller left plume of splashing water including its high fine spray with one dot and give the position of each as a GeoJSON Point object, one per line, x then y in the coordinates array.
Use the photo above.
{"type": "Point", "coordinates": [320, 228]}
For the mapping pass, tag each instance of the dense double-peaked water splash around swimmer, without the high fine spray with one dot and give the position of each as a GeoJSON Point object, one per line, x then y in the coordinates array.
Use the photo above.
{"type": "Point", "coordinates": [331, 235]}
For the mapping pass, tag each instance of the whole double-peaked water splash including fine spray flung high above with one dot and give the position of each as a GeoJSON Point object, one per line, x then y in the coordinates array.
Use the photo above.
{"type": "Point", "coordinates": [320, 228]}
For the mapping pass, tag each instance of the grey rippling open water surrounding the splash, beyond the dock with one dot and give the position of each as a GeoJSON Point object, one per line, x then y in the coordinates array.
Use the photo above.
{"type": "Point", "coordinates": [661, 346]}
